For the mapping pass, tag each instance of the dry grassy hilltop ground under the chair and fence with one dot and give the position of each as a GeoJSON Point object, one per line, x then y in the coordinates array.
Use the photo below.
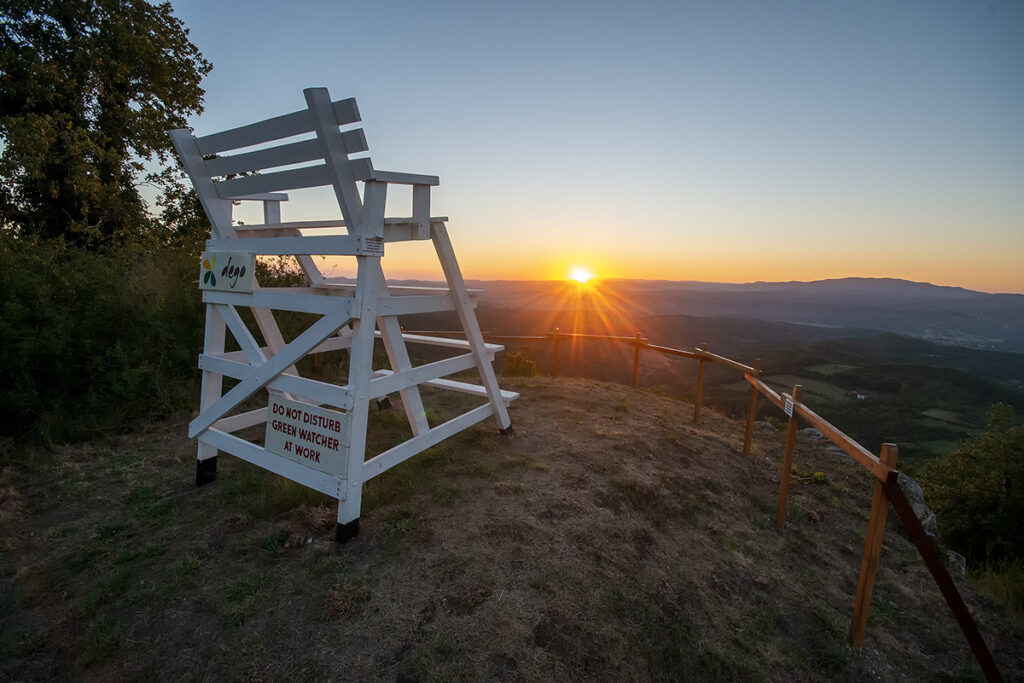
{"type": "Point", "coordinates": [611, 539]}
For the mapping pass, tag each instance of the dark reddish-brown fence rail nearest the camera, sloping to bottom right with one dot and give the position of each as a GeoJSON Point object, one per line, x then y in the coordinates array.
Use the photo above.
{"type": "Point", "coordinates": [943, 579]}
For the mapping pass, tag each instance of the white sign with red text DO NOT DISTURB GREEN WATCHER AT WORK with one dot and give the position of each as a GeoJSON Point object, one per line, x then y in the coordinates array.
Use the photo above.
{"type": "Point", "coordinates": [309, 435]}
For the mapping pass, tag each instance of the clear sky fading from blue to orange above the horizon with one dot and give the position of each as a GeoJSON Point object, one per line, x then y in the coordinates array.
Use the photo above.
{"type": "Point", "coordinates": [729, 142]}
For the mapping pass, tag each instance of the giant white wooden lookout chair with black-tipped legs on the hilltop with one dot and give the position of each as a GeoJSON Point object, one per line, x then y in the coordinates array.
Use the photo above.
{"type": "Point", "coordinates": [352, 317]}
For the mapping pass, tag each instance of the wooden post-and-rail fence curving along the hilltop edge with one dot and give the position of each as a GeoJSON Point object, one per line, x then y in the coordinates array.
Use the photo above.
{"type": "Point", "coordinates": [882, 467]}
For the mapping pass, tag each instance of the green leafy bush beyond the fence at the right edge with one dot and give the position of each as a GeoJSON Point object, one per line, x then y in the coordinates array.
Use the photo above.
{"type": "Point", "coordinates": [978, 491]}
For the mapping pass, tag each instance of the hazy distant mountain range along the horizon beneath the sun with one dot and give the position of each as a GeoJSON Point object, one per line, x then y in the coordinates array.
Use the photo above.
{"type": "Point", "coordinates": [950, 316]}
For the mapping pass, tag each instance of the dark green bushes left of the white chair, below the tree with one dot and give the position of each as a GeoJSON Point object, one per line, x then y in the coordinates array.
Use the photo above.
{"type": "Point", "coordinates": [95, 340]}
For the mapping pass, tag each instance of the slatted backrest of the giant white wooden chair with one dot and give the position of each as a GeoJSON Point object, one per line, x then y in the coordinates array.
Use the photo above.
{"type": "Point", "coordinates": [212, 178]}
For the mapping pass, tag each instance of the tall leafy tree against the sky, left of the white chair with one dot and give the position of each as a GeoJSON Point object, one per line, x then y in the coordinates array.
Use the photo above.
{"type": "Point", "coordinates": [88, 91]}
